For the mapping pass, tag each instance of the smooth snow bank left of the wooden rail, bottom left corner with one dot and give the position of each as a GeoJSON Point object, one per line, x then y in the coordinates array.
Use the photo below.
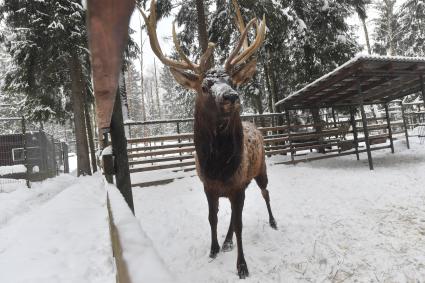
{"type": "Point", "coordinates": [57, 231]}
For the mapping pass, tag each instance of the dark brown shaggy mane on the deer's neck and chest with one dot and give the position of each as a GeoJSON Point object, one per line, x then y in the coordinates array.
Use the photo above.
{"type": "Point", "coordinates": [218, 146]}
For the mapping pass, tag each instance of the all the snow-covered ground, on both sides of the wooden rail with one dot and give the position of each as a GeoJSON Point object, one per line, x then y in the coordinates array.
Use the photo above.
{"type": "Point", "coordinates": [338, 222]}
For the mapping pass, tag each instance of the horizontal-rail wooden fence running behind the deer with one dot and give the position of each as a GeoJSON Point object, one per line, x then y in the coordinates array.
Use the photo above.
{"type": "Point", "coordinates": [176, 150]}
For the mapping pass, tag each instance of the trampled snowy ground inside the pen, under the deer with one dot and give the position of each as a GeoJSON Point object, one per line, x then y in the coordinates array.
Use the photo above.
{"type": "Point", "coordinates": [338, 222]}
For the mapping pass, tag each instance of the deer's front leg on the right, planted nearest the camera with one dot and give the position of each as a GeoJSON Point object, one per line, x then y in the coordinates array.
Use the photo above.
{"type": "Point", "coordinates": [237, 207]}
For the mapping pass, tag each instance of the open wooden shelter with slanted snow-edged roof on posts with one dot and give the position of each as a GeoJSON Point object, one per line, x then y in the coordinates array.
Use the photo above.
{"type": "Point", "coordinates": [364, 80]}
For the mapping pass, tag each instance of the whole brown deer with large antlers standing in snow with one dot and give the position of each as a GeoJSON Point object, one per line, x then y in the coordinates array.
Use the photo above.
{"type": "Point", "coordinates": [229, 152]}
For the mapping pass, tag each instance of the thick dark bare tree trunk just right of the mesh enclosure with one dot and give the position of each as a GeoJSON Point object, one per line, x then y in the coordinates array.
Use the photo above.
{"type": "Point", "coordinates": [83, 162]}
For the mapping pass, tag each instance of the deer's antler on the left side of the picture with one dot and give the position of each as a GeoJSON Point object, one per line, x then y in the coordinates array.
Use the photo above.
{"type": "Point", "coordinates": [185, 64]}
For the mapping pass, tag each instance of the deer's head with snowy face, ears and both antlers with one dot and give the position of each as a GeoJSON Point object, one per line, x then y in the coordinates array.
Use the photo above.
{"type": "Point", "coordinates": [218, 84]}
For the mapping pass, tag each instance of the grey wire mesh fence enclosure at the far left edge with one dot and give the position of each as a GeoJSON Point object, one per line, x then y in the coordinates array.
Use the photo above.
{"type": "Point", "coordinates": [28, 154]}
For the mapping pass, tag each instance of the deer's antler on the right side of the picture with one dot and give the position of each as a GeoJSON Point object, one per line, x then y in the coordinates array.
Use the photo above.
{"type": "Point", "coordinates": [238, 59]}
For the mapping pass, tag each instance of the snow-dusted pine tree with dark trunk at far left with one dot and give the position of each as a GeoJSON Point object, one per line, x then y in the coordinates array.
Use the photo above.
{"type": "Point", "coordinates": [49, 52]}
